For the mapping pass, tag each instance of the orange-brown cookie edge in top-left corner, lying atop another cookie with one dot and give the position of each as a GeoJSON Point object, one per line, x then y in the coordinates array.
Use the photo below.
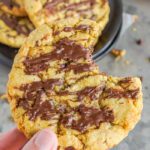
{"type": "Point", "coordinates": [13, 7]}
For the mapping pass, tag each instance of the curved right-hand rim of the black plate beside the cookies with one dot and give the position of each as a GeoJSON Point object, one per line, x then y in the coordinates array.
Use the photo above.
{"type": "Point", "coordinates": [111, 32]}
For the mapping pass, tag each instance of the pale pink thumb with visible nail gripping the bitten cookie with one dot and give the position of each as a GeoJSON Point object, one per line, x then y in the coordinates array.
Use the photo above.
{"type": "Point", "coordinates": [43, 140]}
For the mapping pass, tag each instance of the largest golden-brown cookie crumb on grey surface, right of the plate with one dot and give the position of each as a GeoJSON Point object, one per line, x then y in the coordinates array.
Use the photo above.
{"type": "Point", "coordinates": [118, 53]}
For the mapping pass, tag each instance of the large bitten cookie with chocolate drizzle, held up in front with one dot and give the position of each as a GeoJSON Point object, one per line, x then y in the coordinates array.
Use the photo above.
{"type": "Point", "coordinates": [55, 83]}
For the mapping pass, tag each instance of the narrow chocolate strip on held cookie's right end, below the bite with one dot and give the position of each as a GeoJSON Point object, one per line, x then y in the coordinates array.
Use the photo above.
{"type": "Point", "coordinates": [115, 93]}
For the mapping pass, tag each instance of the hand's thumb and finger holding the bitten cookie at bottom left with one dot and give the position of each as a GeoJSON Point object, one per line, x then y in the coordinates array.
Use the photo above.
{"type": "Point", "coordinates": [15, 140]}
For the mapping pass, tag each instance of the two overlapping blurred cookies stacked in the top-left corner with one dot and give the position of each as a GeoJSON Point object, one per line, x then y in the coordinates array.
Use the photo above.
{"type": "Point", "coordinates": [15, 26]}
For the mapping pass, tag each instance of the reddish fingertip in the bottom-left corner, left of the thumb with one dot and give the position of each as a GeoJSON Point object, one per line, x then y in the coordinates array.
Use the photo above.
{"type": "Point", "coordinates": [12, 140]}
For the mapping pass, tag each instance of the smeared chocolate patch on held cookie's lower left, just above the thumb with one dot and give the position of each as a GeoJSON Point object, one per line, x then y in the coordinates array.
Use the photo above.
{"type": "Point", "coordinates": [34, 99]}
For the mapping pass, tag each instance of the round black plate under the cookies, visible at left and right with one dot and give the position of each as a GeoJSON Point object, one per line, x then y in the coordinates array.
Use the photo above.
{"type": "Point", "coordinates": [104, 44]}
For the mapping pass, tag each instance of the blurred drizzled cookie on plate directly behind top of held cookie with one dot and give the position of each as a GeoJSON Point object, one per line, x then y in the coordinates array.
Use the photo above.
{"type": "Point", "coordinates": [48, 11]}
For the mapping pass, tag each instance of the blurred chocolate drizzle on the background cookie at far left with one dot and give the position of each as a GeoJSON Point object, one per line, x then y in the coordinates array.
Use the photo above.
{"type": "Point", "coordinates": [13, 23]}
